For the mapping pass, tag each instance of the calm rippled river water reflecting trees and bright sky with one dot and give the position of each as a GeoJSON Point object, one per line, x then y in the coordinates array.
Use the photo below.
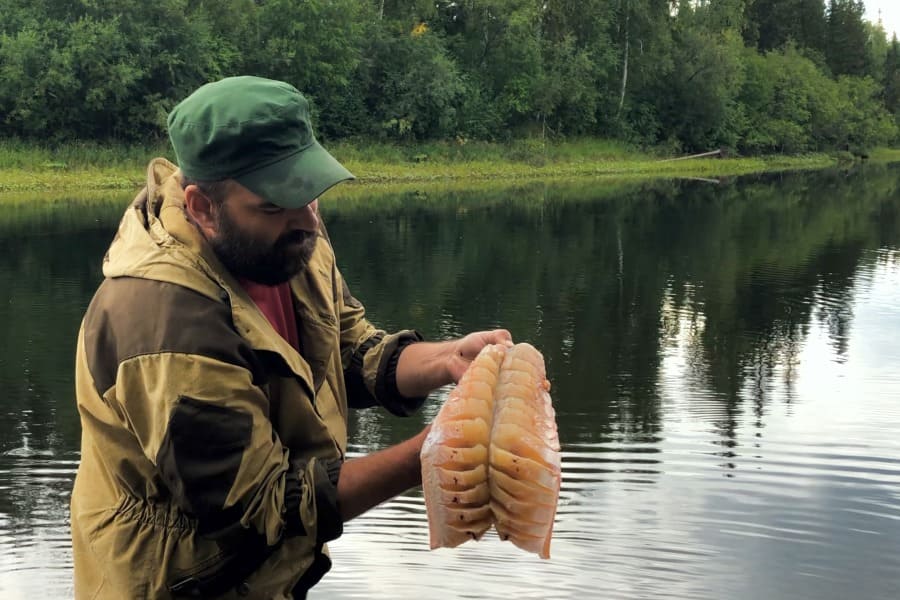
{"type": "Point", "coordinates": [725, 362]}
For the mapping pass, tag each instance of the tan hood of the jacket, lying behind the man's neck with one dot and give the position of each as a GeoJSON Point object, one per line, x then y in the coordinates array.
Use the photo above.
{"type": "Point", "coordinates": [156, 241]}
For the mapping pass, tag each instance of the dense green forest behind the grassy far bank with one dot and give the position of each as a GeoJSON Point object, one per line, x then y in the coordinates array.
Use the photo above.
{"type": "Point", "coordinates": [752, 76]}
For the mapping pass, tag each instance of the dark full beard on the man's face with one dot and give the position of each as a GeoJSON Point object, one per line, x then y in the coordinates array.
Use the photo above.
{"type": "Point", "coordinates": [247, 257]}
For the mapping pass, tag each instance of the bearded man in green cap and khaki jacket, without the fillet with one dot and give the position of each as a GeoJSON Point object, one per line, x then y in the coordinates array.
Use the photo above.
{"type": "Point", "coordinates": [217, 361]}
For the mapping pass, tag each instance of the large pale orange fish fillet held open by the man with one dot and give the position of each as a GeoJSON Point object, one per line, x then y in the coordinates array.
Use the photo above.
{"type": "Point", "coordinates": [492, 455]}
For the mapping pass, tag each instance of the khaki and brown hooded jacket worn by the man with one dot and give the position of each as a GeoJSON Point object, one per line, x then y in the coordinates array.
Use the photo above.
{"type": "Point", "coordinates": [211, 449]}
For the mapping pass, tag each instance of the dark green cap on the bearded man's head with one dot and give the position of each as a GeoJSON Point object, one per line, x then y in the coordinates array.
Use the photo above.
{"type": "Point", "coordinates": [258, 132]}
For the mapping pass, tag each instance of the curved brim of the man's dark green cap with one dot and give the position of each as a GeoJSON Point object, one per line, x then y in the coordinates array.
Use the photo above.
{"type": "Point", "coordinates": [297, 180]}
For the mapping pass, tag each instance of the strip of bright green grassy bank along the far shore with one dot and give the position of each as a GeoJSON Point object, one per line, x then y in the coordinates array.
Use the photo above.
{"type": "Point", "coordinates": [90, 166]}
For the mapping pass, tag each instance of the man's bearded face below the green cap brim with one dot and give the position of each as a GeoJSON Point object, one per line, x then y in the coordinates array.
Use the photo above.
{"type": "Point", "coordinates": [260, 241]}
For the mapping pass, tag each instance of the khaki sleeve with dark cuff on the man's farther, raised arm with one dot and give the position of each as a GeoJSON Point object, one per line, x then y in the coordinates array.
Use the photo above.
{"type": "Point", "coordinates": [370, 355]}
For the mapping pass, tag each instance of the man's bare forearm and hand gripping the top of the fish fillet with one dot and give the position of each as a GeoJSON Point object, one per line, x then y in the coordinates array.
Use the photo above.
{"type": "Point", "coordinates": [426, 366]}
